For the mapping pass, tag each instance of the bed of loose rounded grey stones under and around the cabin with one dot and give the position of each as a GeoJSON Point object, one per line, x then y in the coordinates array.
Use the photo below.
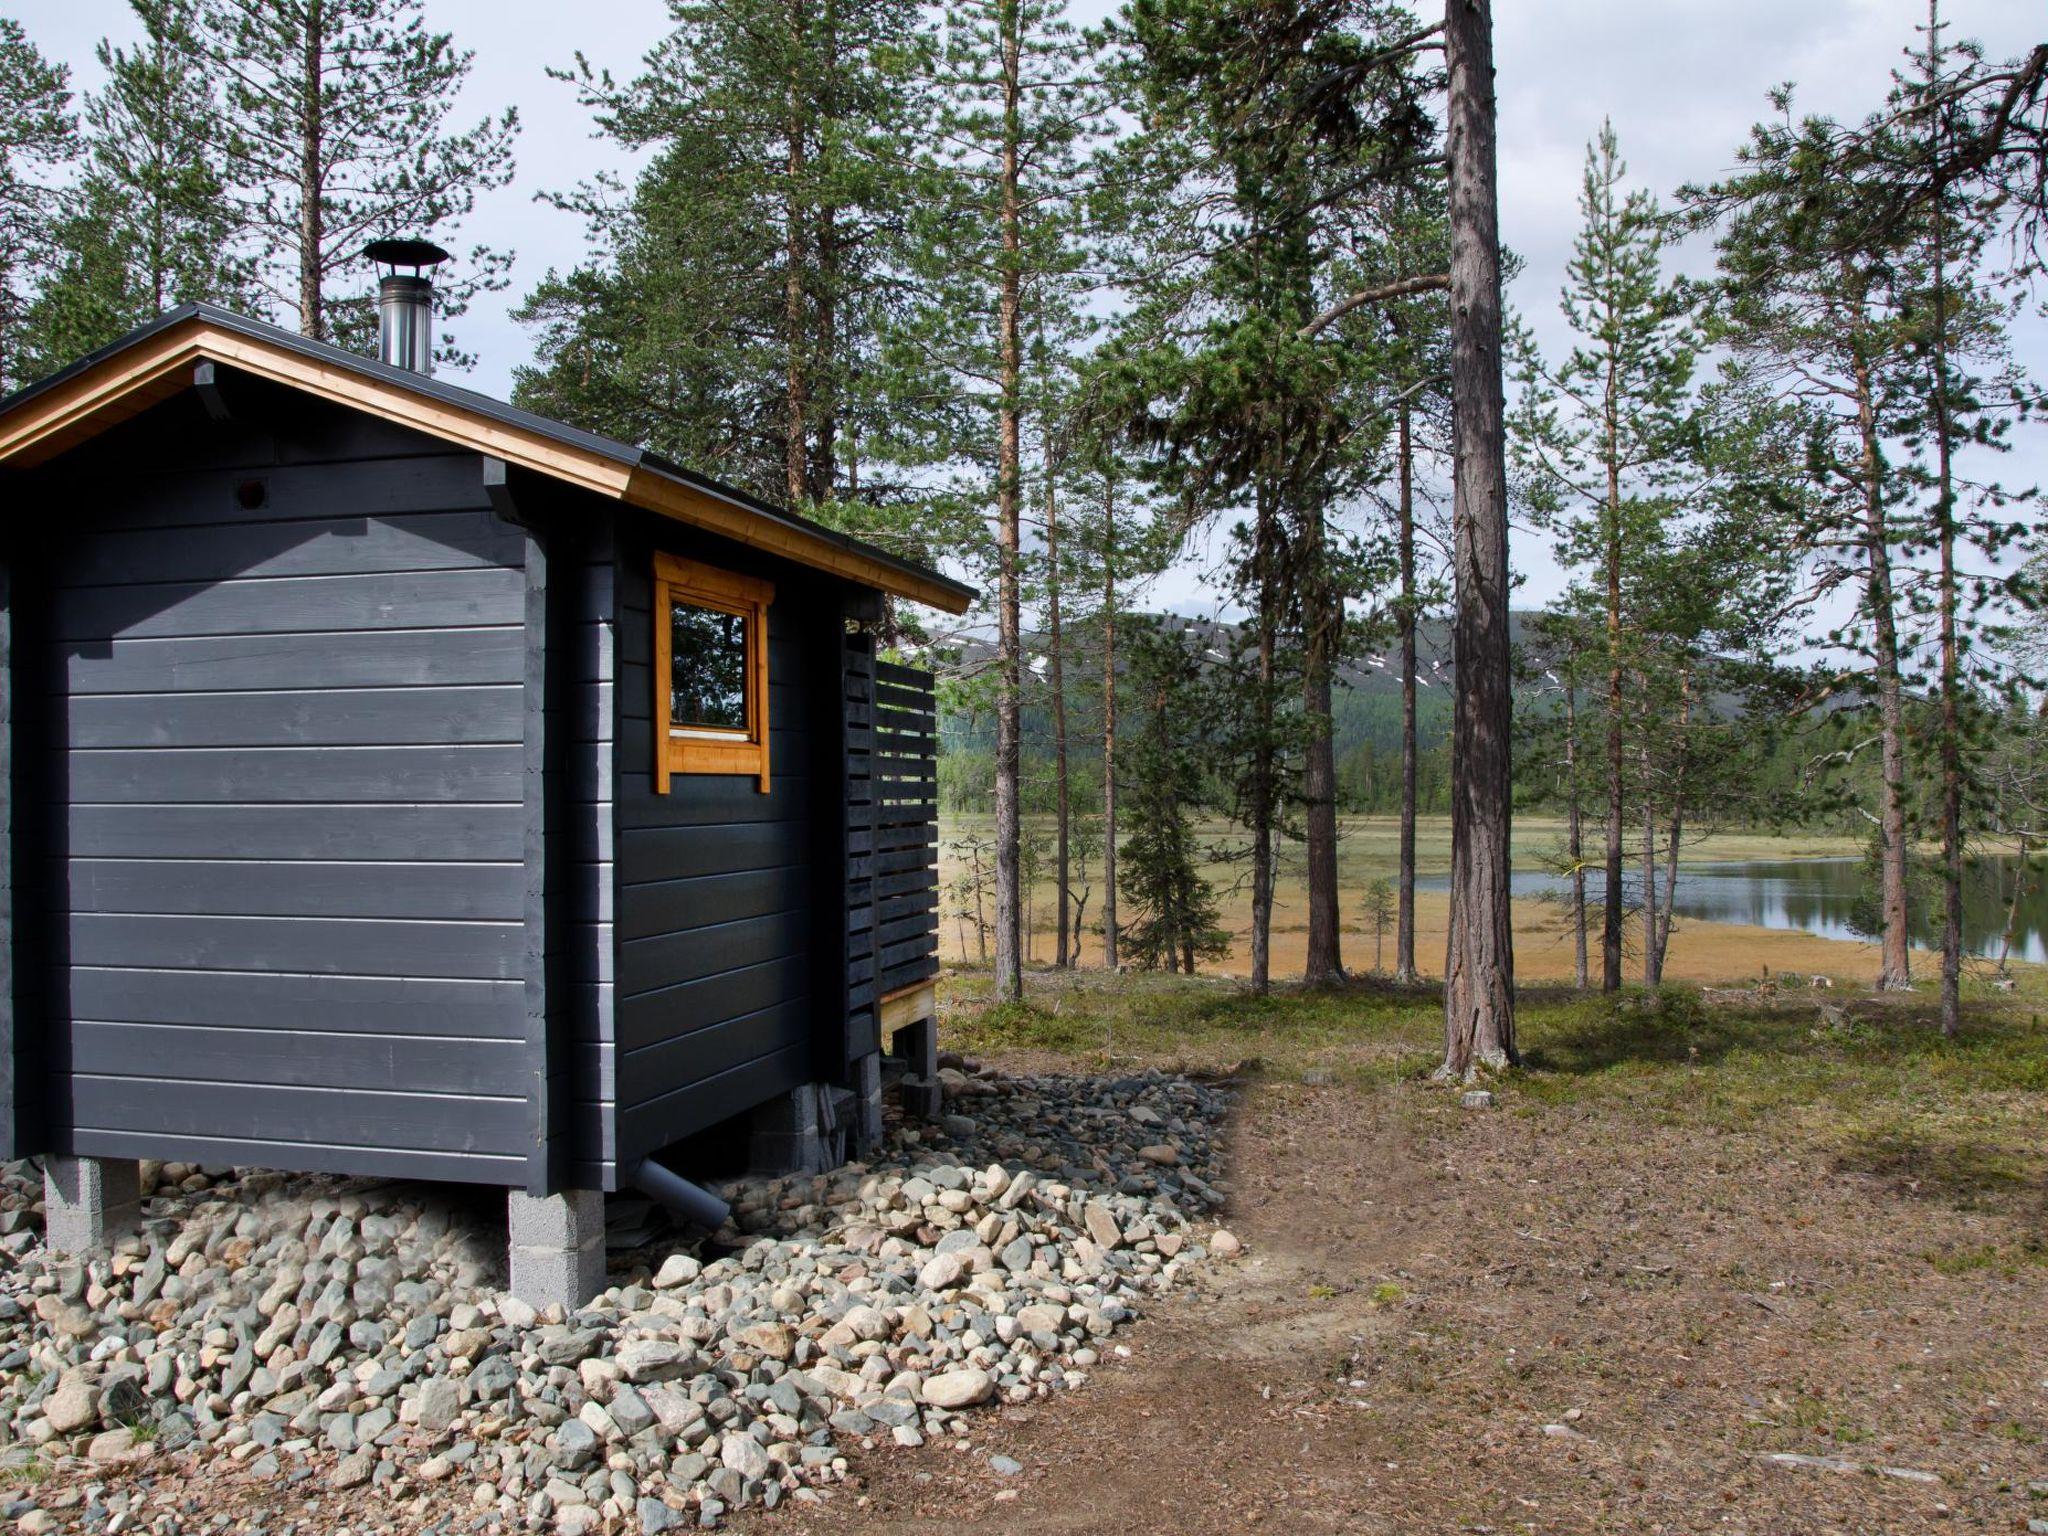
{"type": "Point", "coordinates": [282, 1322]}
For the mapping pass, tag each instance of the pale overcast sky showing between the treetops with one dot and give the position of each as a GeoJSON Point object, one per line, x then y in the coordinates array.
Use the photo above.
{"type": "Point", "coordinates": [1680, 79]}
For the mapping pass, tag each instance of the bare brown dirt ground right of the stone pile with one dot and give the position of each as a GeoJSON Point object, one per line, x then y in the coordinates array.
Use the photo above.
{"type": "Point", "coordinates": [1428, 1289]}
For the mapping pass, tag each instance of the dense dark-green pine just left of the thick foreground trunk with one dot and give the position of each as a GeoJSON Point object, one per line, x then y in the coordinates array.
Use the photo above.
{"type": "Point", "coordinates": [1246, 361]}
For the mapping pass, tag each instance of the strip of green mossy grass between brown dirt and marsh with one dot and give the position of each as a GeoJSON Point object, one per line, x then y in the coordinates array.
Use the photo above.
{"type": "Point", "coordinates": [1871, 1082]}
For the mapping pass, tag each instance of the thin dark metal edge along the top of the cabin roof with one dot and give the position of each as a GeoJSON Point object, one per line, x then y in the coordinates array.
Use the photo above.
{"type": "Point", "coordinates": [488, 407]}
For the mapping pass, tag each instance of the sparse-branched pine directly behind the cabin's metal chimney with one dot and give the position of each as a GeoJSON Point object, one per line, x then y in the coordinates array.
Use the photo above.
{"type": "Point", "coordinates": [337, 134]}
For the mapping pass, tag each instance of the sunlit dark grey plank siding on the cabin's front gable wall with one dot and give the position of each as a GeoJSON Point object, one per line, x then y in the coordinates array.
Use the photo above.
{"type": "Point", "coordinates": [288, 826]}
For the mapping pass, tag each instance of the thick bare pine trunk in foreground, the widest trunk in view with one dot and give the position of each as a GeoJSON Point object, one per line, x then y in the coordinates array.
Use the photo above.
{"type": "Point", "coordinates": [1480, 972]}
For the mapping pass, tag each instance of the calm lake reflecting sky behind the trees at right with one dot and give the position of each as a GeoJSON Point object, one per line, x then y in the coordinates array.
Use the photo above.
{"type": "Point", "coordinates": [1820, 896]}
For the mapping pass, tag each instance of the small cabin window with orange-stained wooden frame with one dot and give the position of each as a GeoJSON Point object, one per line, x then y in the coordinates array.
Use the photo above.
{"type": "Point", "coordinates": [710, 673]}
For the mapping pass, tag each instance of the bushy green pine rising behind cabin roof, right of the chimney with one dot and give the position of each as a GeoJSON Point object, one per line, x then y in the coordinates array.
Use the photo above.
{"type": "Point", "coordinates": [740, 310]}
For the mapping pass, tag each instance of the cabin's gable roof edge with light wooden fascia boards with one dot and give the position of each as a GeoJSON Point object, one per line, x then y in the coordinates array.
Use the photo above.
{"type": "Point", "coordinates": [157, 361]}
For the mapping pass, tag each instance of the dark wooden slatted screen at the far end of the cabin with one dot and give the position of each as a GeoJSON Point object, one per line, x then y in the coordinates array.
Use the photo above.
{"type": "Point", "coordinates": [892, 835]}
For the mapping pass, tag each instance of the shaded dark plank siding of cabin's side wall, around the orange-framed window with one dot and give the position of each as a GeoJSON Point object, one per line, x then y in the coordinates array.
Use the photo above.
{"type": "Point", "coordinates": [718, 882]}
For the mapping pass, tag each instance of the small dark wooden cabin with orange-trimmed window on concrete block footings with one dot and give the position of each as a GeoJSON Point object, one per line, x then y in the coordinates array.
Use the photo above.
{"type": "Point", "coordinates": [409, 785]}
